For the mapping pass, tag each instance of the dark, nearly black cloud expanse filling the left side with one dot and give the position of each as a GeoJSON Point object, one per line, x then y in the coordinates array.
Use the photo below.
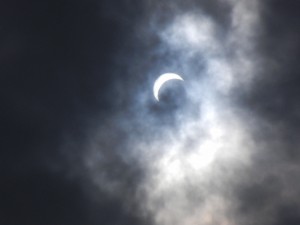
{"type": "Point", "coordinates": [56, 75]}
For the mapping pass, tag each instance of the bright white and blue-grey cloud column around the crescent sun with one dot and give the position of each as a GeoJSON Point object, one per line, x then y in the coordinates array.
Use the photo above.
{"type": "Point", "coordinates": [191, 163]}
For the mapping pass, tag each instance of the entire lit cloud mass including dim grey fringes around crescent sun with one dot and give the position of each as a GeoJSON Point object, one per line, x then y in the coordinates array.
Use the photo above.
{"type": "Point", "coordinates": [217, 155]}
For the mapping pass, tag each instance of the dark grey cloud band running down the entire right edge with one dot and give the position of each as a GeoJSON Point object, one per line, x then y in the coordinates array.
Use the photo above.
{"type": "Point", "coordinates": [269, 196]}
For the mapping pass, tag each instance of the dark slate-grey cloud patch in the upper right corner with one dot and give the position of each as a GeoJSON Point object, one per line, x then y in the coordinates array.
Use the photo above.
{"type": "Point", "coordinates": [276, 90]}
